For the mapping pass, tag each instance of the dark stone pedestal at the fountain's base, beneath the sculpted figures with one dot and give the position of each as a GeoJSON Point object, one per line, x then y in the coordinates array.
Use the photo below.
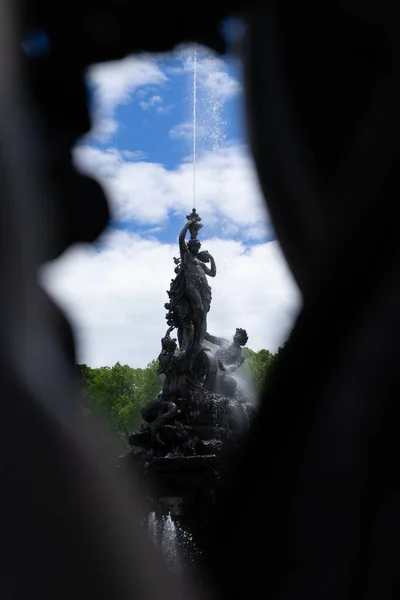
{"type": "Point", "coordinates": [182, 470]}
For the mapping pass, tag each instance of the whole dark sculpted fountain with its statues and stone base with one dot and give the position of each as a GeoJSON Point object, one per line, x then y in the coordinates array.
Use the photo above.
{"type": "Point", "coordinates": [190, 429]}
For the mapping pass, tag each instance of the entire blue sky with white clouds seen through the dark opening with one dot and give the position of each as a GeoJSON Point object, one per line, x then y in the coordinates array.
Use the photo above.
{"type": "Point", "coordinates": [141, 150]}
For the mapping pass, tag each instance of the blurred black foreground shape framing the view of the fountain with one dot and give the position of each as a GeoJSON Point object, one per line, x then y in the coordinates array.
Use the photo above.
{"type": "Point", "coordinates": [313, 508]}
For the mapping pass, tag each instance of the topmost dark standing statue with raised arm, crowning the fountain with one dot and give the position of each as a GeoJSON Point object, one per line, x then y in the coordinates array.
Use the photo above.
{"type": "Point", "coordinates": [190, 293]}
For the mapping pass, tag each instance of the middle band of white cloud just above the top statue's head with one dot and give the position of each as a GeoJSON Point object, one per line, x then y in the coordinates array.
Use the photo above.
{"type": "Point", "coordinates": [227, 189]}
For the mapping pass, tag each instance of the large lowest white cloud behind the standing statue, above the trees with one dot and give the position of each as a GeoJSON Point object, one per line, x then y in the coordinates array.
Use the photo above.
{"type": "Point", "coordinates": [115, 298]}
